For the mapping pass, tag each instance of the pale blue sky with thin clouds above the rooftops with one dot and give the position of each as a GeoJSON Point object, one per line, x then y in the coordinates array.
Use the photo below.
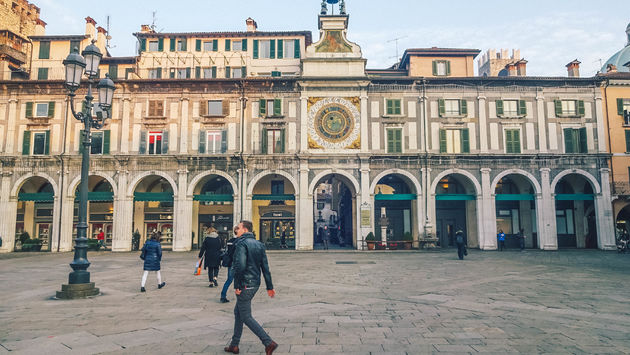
{"type": "Point", "coordinates": [549, 33]}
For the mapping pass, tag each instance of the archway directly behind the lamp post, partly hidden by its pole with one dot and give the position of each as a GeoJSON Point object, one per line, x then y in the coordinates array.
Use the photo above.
{"type": "Point", "coordinates": [100, 209]}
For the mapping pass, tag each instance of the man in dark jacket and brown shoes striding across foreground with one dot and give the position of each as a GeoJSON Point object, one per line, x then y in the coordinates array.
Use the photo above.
{"type": "Point", "coordinates": [250, 259]}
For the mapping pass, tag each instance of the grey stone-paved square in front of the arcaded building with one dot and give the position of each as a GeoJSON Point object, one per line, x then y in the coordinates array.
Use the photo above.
{"type": "Point", "coordinates": [340, 302]}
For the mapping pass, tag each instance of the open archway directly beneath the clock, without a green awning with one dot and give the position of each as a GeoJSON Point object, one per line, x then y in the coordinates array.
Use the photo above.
{"type": "Point", "coordinates": [334, 213]}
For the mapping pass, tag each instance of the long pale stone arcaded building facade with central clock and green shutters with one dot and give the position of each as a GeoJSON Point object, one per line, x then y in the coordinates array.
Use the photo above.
{"type": "Point", "coordinates": [417, 155]}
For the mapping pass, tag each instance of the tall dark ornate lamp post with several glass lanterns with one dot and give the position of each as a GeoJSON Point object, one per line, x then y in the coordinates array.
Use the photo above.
{"type": "Point", "coordinates": [79, 285]}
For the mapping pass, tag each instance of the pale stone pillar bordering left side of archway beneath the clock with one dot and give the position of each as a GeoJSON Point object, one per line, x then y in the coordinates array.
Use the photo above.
{"type": "Point", "coordinates": [304, 211]}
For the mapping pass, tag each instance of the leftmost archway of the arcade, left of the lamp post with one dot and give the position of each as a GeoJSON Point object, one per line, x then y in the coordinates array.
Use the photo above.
{"type": "Point", "coordinates": [35, 212]}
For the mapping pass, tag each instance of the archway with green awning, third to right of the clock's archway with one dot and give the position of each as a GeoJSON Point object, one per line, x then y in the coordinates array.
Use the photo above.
{"type": "Point", "coordinates": [456, 209]}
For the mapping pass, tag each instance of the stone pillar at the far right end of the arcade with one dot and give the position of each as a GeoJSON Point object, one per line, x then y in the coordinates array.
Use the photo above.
{"type": "Point", "coordinates": [604, 214]}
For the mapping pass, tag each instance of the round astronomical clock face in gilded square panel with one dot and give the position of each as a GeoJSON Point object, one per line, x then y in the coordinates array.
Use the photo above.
{"type": "Point", "coordinates": [333, 124]}
